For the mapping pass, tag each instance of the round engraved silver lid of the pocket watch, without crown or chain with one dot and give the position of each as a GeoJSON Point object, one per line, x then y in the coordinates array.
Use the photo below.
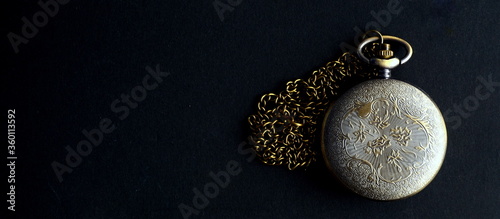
{"type": "Point", "coordinates": [384, 139]}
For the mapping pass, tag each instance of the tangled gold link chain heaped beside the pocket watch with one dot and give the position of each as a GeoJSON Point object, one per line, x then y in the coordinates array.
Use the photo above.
{"type": "Point", "coordinates": [286, 126]}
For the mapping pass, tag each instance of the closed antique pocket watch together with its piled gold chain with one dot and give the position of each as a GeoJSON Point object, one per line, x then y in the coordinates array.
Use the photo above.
{"type": "Point", "coordinates": [384, 139]}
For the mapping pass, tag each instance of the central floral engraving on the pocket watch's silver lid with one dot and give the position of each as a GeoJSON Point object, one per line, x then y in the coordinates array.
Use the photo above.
{"type": "Point", "coordinates": [381, 126]}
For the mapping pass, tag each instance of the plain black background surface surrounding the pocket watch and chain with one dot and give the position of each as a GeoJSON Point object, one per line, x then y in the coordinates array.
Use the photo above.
{"type": "Point", "coordinates": [66, 77]}
